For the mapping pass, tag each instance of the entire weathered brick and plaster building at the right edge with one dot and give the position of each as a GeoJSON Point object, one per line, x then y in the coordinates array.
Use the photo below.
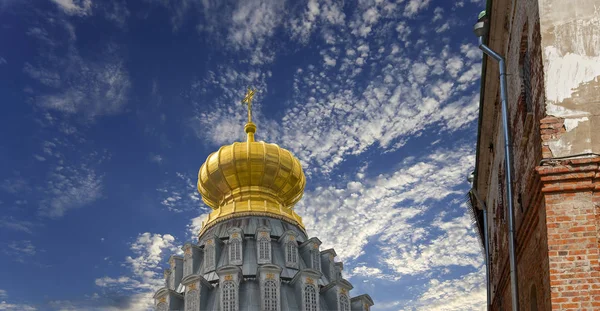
{"type": "Point", "coordinates": [552, 52]}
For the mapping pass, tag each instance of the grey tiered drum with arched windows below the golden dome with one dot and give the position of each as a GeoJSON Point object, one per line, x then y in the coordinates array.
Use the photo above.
{"type": "Point", "coordinates": [292, 273]}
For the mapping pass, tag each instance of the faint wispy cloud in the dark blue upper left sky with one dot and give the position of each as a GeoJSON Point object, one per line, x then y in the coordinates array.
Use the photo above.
{"type": "Point", "coordinates": [74, 84]}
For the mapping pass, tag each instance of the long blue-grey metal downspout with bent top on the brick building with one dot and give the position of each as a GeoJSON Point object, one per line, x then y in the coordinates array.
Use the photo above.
{"type": "Point", "coordinates": [508, 166]}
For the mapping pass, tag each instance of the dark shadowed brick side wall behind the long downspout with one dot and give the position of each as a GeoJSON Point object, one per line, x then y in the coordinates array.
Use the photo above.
{"type": "Point", "coordinates": [519, 36]}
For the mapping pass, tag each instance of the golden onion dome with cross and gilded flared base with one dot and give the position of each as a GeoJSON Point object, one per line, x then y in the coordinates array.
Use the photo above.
{"type": "Point", "coordinates": [251, 178]}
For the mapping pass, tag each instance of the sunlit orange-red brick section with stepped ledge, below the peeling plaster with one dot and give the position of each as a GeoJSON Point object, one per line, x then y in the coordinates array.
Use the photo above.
{"type": "Point", "coordinates": [571, 191]}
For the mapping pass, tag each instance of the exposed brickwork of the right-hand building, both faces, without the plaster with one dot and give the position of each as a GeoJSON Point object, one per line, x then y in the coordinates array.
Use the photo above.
{"type": "Point", "coordinates": [556, 200]}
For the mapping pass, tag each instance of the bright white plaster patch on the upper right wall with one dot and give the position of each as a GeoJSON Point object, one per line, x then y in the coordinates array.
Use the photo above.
{"type": "Point", "coordinates": [566, 72]}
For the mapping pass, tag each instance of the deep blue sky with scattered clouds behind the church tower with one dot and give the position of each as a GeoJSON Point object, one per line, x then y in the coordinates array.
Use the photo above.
{"type": "Point", "coordinates": [110, 107]}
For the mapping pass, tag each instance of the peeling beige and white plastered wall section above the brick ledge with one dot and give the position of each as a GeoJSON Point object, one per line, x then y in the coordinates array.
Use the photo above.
{"type": "Point", "coordinates": [571, 52]}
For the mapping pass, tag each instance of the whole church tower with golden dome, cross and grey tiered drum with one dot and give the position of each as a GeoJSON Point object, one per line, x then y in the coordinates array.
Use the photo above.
{"type": "Point", "coordinates": [253, 252]}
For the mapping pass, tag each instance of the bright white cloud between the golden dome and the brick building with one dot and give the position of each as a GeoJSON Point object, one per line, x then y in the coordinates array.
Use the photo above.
{"type": "Point", "coordinates": [347, 217]}
